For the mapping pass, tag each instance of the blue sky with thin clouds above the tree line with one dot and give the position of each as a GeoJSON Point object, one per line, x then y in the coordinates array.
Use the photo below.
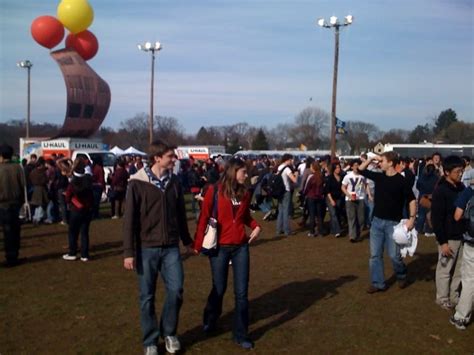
{"type": "Point", "coordinates": [255, 61]}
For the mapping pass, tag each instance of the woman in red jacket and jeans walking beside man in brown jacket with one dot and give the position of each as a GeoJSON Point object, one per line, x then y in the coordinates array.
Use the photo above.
{"type": "Point", "coordinates": [233, 201]}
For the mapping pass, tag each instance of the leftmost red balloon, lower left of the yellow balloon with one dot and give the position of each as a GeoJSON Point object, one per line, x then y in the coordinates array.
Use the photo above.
{"type": "Point", "coordinates": [47, 31]}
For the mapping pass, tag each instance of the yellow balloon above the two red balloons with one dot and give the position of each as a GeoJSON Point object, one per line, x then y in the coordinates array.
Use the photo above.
{"type": "Point", "coordinates": [75, 15]}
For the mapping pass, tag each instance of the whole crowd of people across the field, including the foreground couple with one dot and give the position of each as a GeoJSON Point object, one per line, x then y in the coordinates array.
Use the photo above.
{"type": "Point", "coordinates": [333, 196]}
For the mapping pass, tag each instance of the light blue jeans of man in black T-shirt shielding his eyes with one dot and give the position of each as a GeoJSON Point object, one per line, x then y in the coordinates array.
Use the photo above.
{"type": "Point", "coordinates": [381, 232]}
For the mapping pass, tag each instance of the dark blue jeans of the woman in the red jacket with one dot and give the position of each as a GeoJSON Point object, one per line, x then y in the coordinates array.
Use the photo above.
{"type": "Point", "coordinates": [220, 270]}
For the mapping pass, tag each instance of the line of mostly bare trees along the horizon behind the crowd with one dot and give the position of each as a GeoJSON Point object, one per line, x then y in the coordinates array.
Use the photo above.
{"type": "Point", "coordinates": [310, 128]}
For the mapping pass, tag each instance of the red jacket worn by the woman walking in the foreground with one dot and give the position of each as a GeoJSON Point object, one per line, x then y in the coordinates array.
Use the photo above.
{"type": "Point", "coordinates": [230, 227]}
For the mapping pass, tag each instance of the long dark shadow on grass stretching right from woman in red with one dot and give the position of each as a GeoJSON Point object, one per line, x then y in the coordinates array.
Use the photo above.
{"type": "Point", "coordinates": [285, 302]}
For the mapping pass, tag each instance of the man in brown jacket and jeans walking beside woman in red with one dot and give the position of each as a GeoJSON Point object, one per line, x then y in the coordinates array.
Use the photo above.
{"type": "Point", "coordinates": [154, 223]}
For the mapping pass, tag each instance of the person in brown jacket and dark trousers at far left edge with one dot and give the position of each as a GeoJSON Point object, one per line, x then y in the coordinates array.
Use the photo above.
{"type": "Point", "coordinates": [12, 189]}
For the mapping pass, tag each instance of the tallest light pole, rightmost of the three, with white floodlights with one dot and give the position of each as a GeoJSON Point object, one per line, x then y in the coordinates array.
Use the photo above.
{"type": "Point", "coordinates": [334, 23]}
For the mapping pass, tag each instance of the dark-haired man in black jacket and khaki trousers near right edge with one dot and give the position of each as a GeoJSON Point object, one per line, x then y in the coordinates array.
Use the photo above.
{"type": "Point", "coordinates": [448, 231]}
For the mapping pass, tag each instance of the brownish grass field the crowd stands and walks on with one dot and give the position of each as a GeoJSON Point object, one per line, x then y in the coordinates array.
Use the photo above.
{"type": "Point", "coordinates": [307, 296]}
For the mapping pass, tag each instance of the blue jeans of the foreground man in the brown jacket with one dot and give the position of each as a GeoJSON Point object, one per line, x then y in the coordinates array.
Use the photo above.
{"type": "Point", "coordinates": [165, 261]}
